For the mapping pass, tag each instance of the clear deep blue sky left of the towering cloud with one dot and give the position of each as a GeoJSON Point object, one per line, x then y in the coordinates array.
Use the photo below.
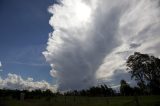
{"type": "Point", "coordinates": [24, 28]}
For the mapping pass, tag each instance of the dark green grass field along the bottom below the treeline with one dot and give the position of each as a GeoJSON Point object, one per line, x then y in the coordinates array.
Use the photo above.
{"type": "Point", "coordinates": [86, 101]}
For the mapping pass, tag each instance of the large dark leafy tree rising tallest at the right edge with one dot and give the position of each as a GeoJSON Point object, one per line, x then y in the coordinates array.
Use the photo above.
{"type": "Point", "coordinates": [146, 71]}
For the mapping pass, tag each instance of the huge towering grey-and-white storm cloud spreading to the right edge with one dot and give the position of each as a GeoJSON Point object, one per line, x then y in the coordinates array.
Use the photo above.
{"type": "Point", "coordinates": [92, 38]}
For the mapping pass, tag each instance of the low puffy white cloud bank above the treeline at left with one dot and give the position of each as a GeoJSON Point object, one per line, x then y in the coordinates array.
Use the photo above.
{"type": "Point", "coordinates": [14, 81]}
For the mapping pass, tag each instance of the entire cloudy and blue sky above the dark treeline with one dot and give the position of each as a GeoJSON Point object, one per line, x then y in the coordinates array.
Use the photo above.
{"type": "Point", "coordinates": [74, 44]}
